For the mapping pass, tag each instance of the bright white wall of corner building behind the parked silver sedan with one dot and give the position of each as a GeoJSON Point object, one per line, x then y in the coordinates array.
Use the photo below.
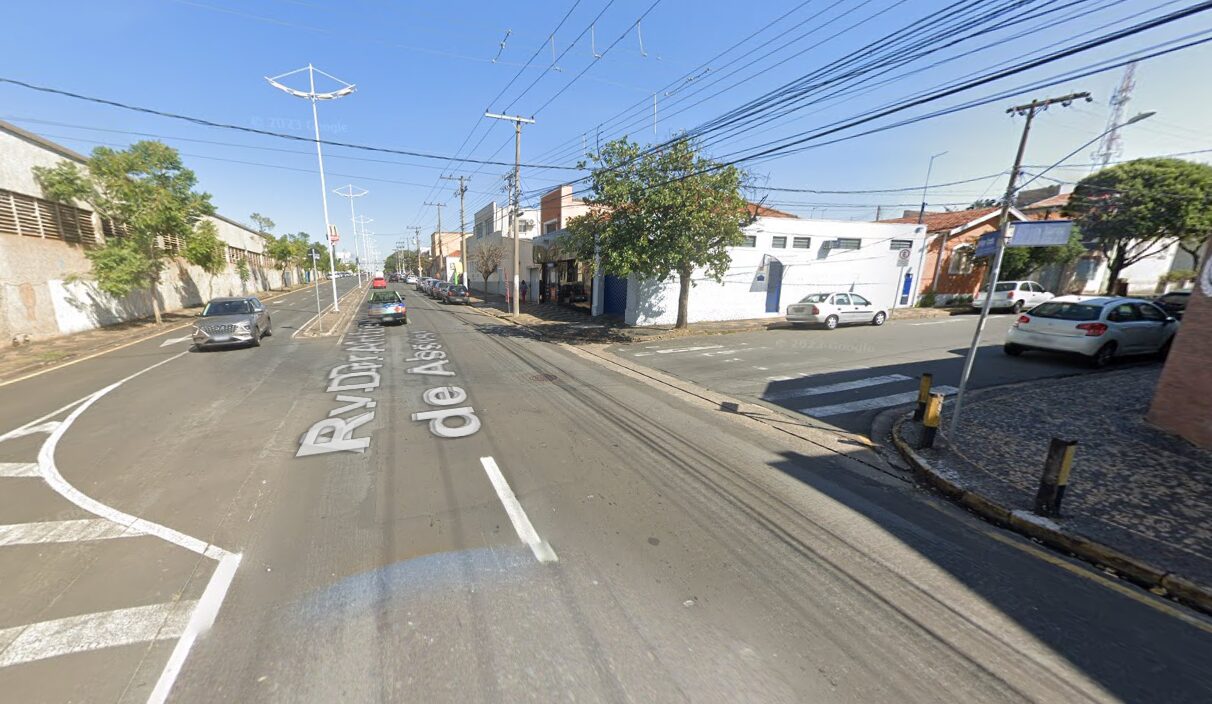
{"type": "Point", "coordinates": [871, 271]}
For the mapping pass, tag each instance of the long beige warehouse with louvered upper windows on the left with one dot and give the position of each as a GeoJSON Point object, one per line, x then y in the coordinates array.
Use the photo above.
{"type": "Point", "coordinates": [45, 285]}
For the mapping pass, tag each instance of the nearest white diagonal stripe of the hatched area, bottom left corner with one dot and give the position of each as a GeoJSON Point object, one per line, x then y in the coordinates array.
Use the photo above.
{"type": "Point", "coordinates": [93, 632]}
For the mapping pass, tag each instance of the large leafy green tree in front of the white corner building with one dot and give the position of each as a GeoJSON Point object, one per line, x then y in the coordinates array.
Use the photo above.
{"type": "Point", "coordinates": [660, 214]}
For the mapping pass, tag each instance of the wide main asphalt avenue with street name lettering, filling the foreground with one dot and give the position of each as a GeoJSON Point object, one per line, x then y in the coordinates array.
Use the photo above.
{"type": "Point", "coordinates": [576, 535]}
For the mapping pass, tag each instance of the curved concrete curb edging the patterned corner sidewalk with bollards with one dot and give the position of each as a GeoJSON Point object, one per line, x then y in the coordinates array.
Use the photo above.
{"type": "Point", "coordinates": [1053, 535]}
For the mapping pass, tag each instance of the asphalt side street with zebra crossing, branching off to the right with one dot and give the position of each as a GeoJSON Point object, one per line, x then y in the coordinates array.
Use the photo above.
{"type": "Point", "coordinates": [845, 377]}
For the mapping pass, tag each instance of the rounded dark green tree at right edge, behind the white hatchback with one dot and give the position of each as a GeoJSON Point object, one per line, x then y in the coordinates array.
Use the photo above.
{"type": "Point", "coordinates": [1136, 210]}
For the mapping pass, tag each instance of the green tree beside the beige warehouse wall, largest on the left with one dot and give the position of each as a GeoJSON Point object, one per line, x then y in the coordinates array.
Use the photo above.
{"type": "Point", "coordinates": [150, 197]}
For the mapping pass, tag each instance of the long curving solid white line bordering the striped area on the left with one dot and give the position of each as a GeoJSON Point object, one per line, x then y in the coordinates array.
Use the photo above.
{"type": "Point", "coordinates": [203, 617]}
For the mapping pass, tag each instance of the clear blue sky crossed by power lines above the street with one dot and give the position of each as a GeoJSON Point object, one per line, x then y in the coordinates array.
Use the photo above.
{"type": "Point", "coordinates": [426, 72]}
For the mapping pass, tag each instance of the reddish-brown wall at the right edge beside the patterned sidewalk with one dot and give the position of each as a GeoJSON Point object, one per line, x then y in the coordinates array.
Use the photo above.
{"type": "Point", "coordinates": [1184, 400]}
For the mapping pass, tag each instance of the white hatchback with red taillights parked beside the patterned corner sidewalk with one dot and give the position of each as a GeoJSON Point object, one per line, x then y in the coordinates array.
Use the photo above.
{"type": "Point", "coordinates": [1099, 328]}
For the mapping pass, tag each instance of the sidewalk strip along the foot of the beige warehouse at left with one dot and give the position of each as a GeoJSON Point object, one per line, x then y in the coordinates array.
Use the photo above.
{"type": "Point", "coordinates": [38, 356]}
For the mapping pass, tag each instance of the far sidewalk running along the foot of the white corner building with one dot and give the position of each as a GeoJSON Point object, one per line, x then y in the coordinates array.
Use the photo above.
{"type": "Point", "coordinates": [571, 324]}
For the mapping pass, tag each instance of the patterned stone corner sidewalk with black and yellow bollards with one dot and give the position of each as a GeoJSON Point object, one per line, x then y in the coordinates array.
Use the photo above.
{"type": "Point", "coordinates": [1139, 501]}
